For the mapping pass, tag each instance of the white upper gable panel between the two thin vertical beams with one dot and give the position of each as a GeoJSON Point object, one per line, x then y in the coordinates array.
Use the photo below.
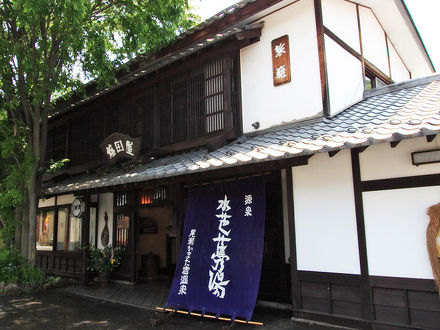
{"type": "Point", "coordinates": [373, 40]}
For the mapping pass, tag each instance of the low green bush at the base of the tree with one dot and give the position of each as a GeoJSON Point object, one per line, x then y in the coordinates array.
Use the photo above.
{"type": "Point", "coordinates": [15, 269]}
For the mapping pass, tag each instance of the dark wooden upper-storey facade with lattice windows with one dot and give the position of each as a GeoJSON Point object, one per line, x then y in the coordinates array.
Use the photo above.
{"type": "Point", "coordinates": [180, 108]}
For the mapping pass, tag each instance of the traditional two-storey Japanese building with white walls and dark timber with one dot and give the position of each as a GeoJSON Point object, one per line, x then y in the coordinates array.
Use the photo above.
{"type": "Point", "coordinates": [328, 100]}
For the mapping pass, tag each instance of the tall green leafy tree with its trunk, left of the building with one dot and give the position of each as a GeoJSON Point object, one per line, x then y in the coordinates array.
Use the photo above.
{"type": "Point", "coordinates": [43, 43]}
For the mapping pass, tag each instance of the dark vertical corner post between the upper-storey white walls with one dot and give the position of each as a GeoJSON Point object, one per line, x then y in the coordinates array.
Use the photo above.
{"type": "Point", "coordinates": [322, 59]}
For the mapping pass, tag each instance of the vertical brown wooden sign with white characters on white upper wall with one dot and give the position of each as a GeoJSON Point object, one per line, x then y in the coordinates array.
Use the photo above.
{"type": "Point", "coordinates": [281, 60]}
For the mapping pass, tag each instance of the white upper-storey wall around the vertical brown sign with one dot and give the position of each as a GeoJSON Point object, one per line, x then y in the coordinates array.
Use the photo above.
{"type": "Point", "coordinates": [301, 98]}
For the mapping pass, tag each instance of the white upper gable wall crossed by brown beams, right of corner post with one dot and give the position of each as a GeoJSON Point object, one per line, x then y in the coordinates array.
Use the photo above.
{"type": "Point", "coordinates": [345, 76]}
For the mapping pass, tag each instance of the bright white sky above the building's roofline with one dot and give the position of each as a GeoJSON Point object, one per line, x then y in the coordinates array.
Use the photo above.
{"type": "Point", "coordinates": [424, 13]}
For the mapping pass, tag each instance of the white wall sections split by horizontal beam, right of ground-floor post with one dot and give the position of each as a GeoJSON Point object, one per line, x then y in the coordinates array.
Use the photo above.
{"type": "Point", "coordinates": [396, 219]}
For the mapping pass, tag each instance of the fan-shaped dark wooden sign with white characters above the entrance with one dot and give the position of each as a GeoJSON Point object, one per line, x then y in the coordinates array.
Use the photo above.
{"type": "Point", "coordinates": [119, 145]}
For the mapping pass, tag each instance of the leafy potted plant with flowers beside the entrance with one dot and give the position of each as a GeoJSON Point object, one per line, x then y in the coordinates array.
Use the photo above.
{"type": "Point", "coordinates": [106, 259]}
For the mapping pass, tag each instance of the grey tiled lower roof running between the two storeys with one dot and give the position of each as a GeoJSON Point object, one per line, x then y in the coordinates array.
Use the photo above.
{"type": "Point", "coordinates": [392, 113]}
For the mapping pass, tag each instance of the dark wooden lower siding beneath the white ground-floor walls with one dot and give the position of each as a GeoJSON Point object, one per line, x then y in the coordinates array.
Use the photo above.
{"type": "Point", "coordinates": [398, 303]}
